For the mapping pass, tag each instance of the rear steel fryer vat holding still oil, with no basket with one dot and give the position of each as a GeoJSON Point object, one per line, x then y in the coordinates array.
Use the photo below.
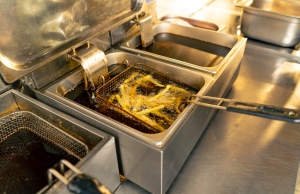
{"type": "Point", "coordinates": [193, 48]}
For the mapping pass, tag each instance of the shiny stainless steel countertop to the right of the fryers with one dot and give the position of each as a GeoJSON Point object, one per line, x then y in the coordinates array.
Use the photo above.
{"type": "Point", "coordinates": [246, 154]}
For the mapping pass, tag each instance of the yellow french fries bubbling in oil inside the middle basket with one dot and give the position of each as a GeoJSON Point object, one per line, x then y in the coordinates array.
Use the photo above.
{"type": "Point", "coordinates": [150, 107]}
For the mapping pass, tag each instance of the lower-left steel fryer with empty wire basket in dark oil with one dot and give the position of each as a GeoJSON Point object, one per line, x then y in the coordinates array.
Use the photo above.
{"type": "Point", "coordinates": [35, 137]}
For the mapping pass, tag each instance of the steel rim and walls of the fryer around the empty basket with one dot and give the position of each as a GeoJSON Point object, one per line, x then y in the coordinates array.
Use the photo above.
{"type": "Point", "coordinates": [101, 160]}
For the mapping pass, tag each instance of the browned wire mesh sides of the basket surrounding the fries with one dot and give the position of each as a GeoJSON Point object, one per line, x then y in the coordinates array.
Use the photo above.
{"type": "Point", "coordinates": [109, 109]}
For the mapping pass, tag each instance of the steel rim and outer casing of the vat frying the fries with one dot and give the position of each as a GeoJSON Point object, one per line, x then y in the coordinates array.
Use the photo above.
{"type": "Point", "coordinates": [148, 159]}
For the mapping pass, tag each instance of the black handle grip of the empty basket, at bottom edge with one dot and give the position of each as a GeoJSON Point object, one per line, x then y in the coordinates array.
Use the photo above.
{"type": "Point", "coordinates": [84, 184]}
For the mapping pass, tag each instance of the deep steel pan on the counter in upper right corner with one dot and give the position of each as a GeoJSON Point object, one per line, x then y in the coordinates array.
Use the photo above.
{"type": "Point", "coordinates": [272, 21]}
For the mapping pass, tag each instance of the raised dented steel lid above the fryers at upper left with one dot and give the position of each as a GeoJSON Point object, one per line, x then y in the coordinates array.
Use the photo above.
{"type": "Point", "coordinates": [34, 32]}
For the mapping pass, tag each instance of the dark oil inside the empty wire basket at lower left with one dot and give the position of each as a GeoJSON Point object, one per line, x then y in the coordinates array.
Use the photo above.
{"type": "Point", "coordinates": [25, 159]}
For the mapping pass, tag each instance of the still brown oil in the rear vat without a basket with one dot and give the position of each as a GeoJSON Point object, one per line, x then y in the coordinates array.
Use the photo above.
{"type": "Point", "coordinates": [188, 50]}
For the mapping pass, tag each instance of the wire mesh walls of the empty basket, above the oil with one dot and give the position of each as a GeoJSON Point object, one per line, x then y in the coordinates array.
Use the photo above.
{"type": "Point", "coordinates": [26, 124]}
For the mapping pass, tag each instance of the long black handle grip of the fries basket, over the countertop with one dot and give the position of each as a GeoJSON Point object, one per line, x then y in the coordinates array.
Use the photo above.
{"type": "Point", "coordinates": [266, 111]}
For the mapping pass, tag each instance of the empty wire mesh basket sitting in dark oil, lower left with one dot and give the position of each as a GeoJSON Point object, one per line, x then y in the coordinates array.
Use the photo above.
{"type": "Point", "coordinates": [29, 146]}
